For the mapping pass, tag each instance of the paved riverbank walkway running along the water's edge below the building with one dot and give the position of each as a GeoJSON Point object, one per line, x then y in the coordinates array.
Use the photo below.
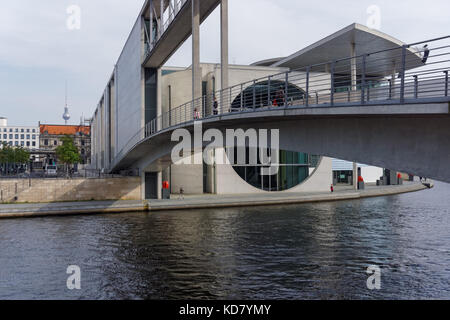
{"type": "Point", "coordinates": [200, 201]}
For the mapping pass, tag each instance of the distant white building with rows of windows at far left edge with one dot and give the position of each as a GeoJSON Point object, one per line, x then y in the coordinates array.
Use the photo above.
{"type": "Point", "coordinates": [19, 136]}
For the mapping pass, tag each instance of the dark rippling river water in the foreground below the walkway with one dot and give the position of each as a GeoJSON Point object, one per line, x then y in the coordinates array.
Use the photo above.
{"type": "Point", "coordinates": [310, 251]}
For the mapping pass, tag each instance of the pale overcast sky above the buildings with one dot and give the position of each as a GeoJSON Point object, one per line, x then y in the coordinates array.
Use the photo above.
{"type": "Point", "coordinates": [38, 53]}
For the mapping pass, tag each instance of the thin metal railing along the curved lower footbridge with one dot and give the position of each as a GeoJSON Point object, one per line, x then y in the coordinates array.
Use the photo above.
{"type": "Point", "coordinates": [402, 75]}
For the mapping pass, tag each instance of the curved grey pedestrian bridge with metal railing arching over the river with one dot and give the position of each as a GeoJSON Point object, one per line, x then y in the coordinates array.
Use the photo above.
{"type": "Point", "coordinates": [399, 121]}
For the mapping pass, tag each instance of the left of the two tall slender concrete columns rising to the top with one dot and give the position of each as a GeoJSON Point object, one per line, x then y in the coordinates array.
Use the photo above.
{"type": "Point", "coordinates": [196, 74]}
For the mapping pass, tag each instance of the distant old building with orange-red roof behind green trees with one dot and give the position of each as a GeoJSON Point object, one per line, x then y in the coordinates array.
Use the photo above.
{"type": "Point", "coordinates": [51, 137]}
